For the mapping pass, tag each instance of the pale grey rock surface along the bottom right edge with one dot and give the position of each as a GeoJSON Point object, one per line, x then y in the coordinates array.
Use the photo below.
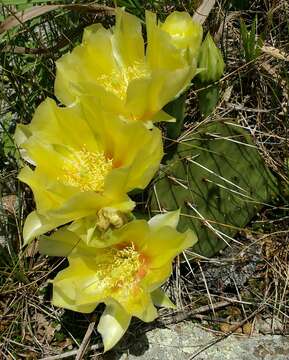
{"type": "Point", "coordinates": [187, 340]}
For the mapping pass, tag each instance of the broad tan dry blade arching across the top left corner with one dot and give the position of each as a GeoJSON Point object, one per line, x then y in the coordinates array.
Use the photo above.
{"type": "Point", "coordinates": [23, 16]}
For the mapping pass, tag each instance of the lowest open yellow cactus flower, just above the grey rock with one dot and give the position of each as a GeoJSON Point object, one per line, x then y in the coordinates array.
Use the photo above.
{"type": "Point", "coordinates": [126, 275]}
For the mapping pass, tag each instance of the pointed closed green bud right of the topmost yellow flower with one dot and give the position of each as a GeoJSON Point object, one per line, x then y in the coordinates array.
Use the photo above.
{"type": "Point", "coordinates": [210, 62]}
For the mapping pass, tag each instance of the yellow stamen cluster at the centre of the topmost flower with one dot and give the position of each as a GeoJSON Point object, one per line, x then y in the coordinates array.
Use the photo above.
{"type": "Point", "coordinates": [117, 81]}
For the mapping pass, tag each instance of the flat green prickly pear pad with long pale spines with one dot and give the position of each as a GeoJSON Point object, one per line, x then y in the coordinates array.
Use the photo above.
{"type": "Point", "coordinates": [220, 182]}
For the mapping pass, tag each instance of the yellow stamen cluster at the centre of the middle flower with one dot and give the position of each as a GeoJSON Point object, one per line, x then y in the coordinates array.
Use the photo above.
{"type": "Point", "coordinates": [87, 170]}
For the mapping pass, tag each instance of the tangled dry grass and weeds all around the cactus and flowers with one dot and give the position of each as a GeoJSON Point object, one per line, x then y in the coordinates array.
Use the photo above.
{"type": "Point", "coordinates": [243, 289]}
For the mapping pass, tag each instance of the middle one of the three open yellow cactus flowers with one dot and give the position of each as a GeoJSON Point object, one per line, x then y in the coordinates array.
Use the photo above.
{"type": "Point", "coordinates": [85, 160]}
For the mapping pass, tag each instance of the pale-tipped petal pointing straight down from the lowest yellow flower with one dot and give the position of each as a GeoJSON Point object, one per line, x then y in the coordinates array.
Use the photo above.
{"type": "Point", "coordinates": [112, 325]}
